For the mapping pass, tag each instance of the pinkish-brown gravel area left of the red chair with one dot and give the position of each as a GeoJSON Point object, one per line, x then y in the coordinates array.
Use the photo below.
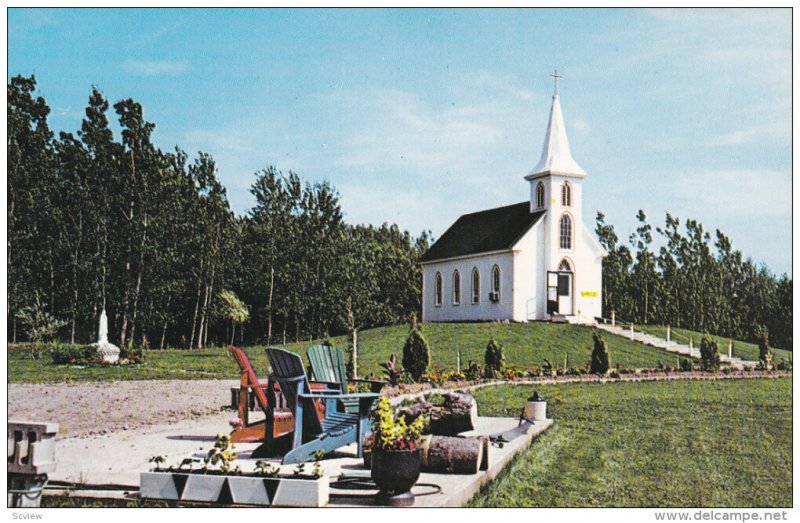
{"type": "Point", "coordinates": [83, 409]}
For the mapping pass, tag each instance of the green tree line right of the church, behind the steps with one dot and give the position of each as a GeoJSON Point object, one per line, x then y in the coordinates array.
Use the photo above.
{"type": "Point", "coordinates": [693, 281]}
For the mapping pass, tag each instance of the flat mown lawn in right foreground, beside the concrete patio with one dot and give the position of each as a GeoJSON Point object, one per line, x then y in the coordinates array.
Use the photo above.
{"type": "Point", "coordinates": [721, 443]}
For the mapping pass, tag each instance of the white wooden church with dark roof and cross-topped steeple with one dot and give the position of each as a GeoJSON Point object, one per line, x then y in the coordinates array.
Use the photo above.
{"type": "Point", "coordinates": [534, 260]}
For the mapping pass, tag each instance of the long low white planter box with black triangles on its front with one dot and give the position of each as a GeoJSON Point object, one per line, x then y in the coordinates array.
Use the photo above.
{"type": "Point", "coordinates": [240, 490]}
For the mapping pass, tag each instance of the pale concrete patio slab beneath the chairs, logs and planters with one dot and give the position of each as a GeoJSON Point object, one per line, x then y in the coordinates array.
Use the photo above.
{"type": "Point", "coordinates": [119, 458]}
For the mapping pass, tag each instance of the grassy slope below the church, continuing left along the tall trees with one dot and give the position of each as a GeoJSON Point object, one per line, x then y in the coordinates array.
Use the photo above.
{"type": "Point", "coordinates": [525, 345]}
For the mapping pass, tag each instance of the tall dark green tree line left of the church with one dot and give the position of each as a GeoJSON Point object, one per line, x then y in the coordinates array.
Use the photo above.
{"type": "Point", "coordinates": [97, 221]}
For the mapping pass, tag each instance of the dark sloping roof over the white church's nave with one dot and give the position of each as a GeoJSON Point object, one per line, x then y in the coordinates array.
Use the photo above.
{"type": "Point", "coordinates": [484, 231]}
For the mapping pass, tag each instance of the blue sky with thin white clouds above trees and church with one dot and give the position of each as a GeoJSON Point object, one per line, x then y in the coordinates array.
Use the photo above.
{"type": "Point", "coordinates": [418, 116]}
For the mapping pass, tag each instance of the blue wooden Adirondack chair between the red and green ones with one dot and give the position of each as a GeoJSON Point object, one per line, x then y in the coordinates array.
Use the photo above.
{"type": "Point", "coordinates": [314, 431]}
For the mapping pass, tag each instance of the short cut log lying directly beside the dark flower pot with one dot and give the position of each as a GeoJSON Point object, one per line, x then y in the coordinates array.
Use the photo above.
{"type": "Point", "coordinates": [450, 455]}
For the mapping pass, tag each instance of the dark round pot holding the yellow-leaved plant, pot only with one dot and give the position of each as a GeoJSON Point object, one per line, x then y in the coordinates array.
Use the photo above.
{"type": "Point", "coordinates": [395, 472]}
